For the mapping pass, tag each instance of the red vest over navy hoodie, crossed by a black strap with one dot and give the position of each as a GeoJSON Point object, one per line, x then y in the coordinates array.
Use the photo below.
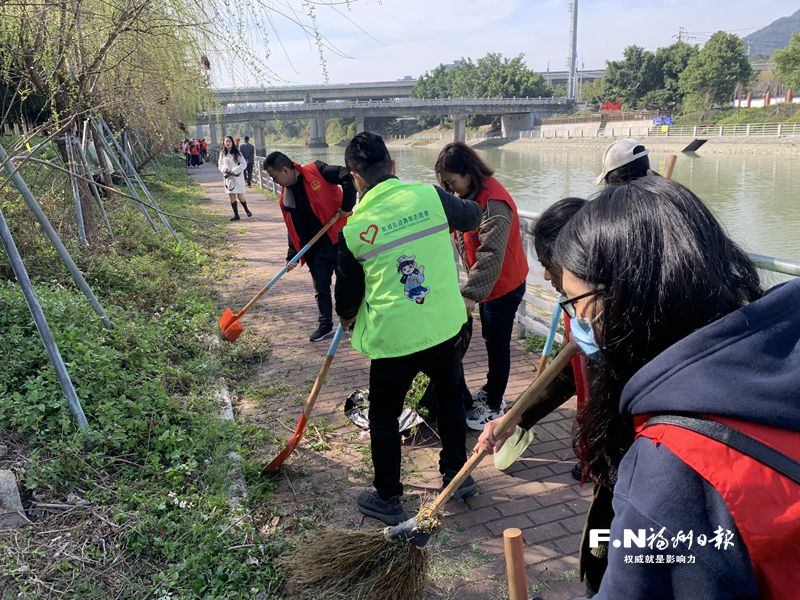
{"type": "Point", "coordinates": [765, 504]}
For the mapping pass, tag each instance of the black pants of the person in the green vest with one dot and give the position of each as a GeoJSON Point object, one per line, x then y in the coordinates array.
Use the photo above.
{"type": "Point", "coordinates": [389, 381]}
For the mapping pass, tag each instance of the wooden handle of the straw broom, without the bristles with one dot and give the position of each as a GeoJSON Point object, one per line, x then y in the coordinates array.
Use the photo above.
{"type": "Point", "coordinates": [528, 398]}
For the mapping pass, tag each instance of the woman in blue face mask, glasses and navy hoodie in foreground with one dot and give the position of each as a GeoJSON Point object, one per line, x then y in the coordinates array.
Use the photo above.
{"type": "Point", "coordinates": [693, 416]}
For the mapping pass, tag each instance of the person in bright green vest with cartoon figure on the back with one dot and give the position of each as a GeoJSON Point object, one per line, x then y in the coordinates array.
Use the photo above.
{"type": "Point", "coordinates": [397, 285]}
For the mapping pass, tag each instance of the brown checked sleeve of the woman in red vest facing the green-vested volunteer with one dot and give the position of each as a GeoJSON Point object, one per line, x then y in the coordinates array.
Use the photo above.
{"type": "Point", "coordinates": [492, 246]}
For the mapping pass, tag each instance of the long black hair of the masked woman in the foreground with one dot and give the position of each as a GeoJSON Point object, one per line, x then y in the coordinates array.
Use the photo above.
{"type": "Point", "coordinates": [664, 267]}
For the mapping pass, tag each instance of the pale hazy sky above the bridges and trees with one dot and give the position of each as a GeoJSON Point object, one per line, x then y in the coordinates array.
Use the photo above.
{"type": "Point", "coordinates": [390, 39]}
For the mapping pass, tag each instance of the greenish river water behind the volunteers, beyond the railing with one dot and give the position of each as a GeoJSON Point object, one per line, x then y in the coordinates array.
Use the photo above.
{"type": "Point", "coordinates": [757, 198]}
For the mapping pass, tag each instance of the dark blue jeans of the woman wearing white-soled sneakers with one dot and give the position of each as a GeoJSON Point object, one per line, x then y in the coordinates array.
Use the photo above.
{"type": "Point", "coordinates": [497, 324]}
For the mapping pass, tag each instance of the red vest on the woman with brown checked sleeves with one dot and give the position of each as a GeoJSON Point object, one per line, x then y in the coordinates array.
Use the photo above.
{"type": "Point", "coordinates": [515, 266]}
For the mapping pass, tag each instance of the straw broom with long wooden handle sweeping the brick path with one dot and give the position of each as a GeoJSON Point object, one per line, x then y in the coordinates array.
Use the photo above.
{"type": "Point", "coordinates": [392, 562]}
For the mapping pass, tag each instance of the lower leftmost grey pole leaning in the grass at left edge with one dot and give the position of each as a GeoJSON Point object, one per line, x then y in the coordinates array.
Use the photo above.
{"type": "Point", "coordinates": [41, 323]}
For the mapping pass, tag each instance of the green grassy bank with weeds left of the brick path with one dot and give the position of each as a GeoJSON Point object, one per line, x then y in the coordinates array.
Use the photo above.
{"type": "Point", "coordinates": [154, 465]}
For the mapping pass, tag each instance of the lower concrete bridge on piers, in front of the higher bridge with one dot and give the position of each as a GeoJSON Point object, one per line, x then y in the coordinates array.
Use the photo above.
{"type": "Point", "coordinates": [518, 114]}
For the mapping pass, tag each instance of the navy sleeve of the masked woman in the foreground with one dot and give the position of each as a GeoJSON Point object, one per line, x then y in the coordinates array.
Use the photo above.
{"type": "Point", "coordinates": [660, 495]}
